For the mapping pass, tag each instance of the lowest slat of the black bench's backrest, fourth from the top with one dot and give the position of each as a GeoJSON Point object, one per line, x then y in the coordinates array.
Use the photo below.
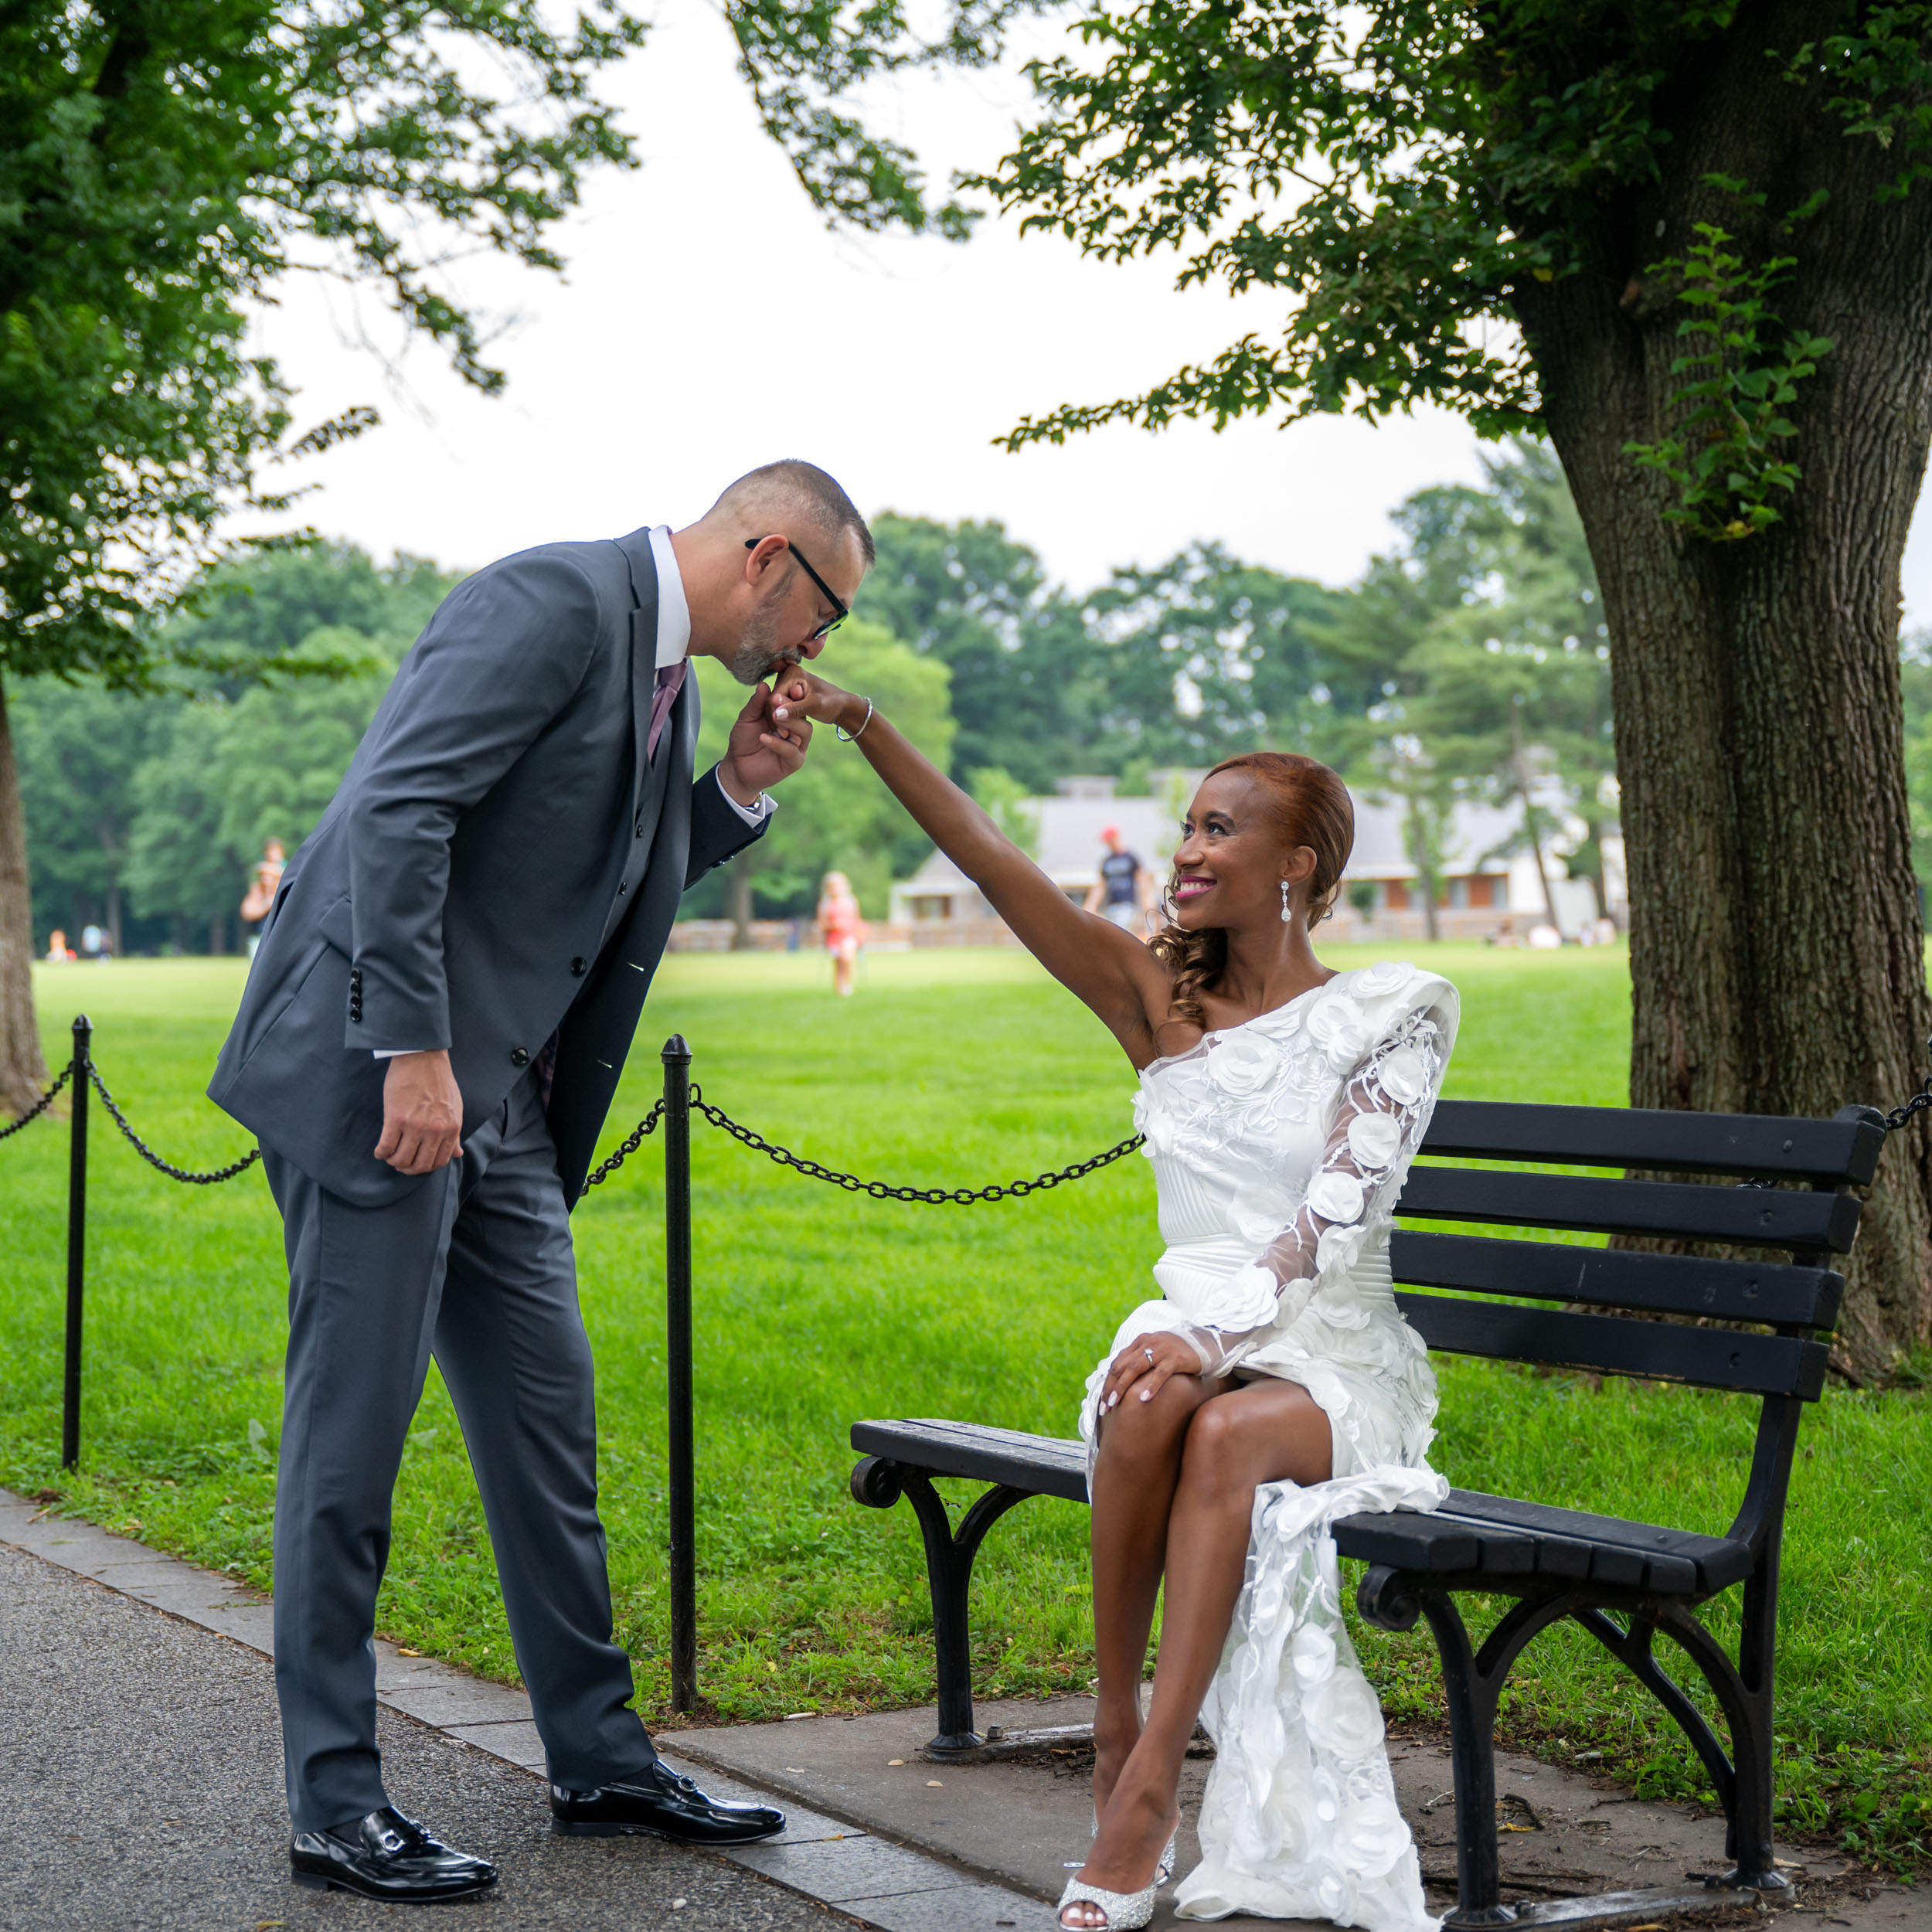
{"type": "Point", "coordinates": [1662, 1351]}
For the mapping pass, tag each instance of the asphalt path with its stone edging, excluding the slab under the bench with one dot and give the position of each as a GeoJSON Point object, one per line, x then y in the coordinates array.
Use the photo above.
{"type": "Point", "coordinates": [142, 1782]}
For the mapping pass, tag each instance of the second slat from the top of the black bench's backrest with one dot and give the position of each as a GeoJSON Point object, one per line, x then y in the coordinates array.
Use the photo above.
{"type": "Point", "coordinates": [1755, 1218]}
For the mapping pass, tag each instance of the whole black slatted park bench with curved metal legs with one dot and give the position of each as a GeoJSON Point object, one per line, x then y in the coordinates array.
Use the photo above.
{"type": "Point", "coordinates": [1761, 1328]}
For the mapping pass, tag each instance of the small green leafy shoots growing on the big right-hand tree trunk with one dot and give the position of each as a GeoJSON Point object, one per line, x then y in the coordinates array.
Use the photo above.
{"type": "Point", "coordinates": [1744, 376]}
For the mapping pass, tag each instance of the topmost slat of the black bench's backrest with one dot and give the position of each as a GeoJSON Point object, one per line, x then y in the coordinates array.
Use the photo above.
{"type": "Point", "coordinates": [1831, 1152]}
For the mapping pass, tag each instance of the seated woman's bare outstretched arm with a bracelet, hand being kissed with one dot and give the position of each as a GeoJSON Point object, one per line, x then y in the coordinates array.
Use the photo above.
{"type": "Point", "coordinates": [1093, 957]}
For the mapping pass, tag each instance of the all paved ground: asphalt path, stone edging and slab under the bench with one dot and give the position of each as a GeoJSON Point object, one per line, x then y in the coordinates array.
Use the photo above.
{"type": "Point", "coordinates": [142, 1788]}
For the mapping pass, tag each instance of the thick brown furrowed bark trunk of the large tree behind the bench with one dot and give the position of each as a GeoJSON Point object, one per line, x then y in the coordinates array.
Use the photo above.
{"type": "Point", "coordinates": [1776, 940]}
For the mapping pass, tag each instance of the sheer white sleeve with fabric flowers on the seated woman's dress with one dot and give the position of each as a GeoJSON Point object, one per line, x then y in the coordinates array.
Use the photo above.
{"type": "Point", "coordinates": [1378, 1125]}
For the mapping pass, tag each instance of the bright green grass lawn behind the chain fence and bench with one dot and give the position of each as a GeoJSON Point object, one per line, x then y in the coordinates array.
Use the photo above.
{"type": "Point", "coordinates": [814, 1307]}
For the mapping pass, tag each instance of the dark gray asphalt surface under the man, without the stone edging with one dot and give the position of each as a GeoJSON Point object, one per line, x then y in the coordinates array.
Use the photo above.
{"type": "Point", "coordinates": [142, 1790]}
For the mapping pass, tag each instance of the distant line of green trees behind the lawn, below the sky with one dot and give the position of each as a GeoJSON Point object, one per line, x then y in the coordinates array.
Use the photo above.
{"type": "Point", "coordinates": [1467, 662]}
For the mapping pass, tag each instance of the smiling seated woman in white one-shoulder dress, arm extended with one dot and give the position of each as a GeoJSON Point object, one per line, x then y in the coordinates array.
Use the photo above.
{"type": "Point", "coordinates": [1274, 1386]}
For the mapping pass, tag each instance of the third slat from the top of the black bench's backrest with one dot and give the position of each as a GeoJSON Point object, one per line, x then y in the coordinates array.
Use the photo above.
{"type": "Point", "coordinates": [1775, 1293]}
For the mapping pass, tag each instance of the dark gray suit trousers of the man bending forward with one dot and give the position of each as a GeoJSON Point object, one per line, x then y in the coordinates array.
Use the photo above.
{"type": "Point", "coordinates": [474, 1266]}
